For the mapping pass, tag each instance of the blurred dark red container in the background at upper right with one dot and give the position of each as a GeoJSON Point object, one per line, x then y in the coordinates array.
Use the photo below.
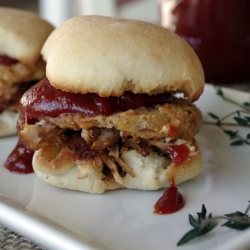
{"type": "Point", "coordinates": [218, 31]}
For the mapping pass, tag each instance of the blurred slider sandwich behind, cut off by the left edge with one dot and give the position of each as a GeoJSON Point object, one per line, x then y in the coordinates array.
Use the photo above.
{"type": "Point", "coordinates": [22, 35]}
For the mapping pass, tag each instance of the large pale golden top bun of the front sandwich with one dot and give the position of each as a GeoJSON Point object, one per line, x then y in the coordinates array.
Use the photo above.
{"type": "Point", "coordinates": [108, 56]}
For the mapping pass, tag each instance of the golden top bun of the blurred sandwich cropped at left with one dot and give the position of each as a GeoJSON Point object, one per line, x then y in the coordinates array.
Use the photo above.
{"type": "Point", "coordinates": [22, 34]}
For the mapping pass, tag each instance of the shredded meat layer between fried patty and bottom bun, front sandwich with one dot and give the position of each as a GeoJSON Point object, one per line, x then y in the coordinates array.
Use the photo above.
{"type": "Point", "coordinates": [103, 147]}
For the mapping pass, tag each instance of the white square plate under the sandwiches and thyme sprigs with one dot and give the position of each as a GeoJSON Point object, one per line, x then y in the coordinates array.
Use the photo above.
{"type": "Point", "coordinates": [124, 219]}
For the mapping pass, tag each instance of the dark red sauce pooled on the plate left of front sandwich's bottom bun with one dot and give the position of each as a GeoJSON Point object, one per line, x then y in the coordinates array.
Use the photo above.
{"type": "Point", "coordinates": [20, 159]}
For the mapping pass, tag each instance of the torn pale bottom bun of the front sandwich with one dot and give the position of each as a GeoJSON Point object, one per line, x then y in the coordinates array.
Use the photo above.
{"type": "Point", "coordinates": [151, 172]}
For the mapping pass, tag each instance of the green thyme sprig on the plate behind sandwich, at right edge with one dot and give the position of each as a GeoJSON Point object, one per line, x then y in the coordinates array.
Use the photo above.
{"type": "Point", "coordinates": [241, 119]}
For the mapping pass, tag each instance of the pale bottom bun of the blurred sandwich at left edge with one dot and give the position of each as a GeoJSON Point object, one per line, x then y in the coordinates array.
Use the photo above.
{"type": "Point", "coordinates": [8, 119]}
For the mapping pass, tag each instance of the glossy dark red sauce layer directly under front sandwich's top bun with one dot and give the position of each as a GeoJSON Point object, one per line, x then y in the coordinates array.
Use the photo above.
{"type": "Point", "coordinates": [45, 100]}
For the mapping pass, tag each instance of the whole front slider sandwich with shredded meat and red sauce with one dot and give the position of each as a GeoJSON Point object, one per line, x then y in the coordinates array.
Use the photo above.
{"type": "Point", "coordinates": [116, 107]}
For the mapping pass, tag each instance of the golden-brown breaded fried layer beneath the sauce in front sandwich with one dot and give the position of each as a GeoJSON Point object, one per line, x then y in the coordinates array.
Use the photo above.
{"type": "Point", "coordinates": [155, 123]}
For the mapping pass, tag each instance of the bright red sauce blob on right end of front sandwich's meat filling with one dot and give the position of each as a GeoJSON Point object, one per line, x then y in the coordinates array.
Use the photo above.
{"type": "Point", "coordinates": [179, 153]}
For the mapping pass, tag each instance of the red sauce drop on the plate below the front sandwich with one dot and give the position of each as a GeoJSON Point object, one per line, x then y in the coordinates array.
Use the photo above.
{"type": "Point", "coordinates": [171, 201]}
